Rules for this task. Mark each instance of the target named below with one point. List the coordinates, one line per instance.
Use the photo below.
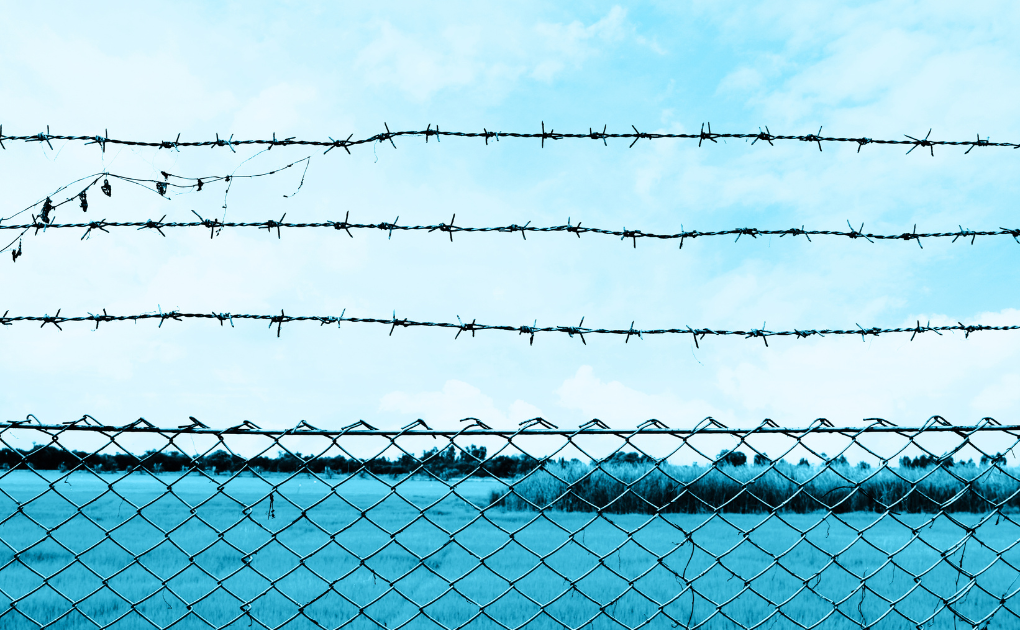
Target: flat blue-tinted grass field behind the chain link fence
(361, 565)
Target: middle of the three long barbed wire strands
(216, 226)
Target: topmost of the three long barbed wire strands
(705, 135)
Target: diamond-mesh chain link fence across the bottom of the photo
(876, 527)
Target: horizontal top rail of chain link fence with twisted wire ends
(937, 425)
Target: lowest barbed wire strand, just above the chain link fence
(581, 331)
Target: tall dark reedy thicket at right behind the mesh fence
(662, 488)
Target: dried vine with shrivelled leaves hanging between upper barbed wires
(164, 188)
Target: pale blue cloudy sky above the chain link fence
(320, 71)
